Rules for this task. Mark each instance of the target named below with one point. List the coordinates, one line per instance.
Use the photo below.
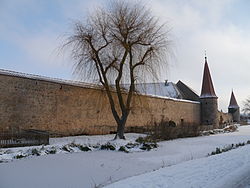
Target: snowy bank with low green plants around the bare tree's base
(69, 145)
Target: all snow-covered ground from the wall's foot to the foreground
(175, 163)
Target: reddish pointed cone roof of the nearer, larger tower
(207, 90)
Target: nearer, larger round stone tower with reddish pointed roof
(208, 100)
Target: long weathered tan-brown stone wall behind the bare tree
(67, 109)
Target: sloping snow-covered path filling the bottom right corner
(226, 170)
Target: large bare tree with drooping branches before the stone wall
(116, 45)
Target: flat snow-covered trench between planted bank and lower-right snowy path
(99, 168)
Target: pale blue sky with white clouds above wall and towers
(32, 31)
